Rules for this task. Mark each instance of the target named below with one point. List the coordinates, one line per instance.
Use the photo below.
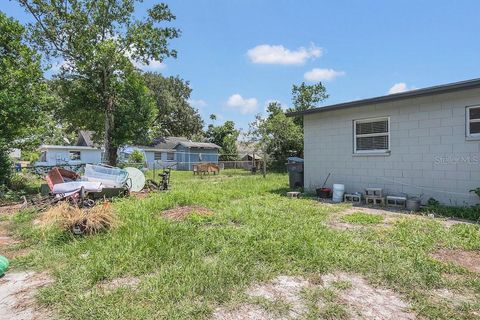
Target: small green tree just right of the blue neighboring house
(226, 137)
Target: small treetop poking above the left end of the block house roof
(305, 97)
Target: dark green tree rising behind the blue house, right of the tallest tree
(175, 116)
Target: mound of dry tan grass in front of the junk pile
(81, 221)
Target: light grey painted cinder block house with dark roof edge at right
(423, 142)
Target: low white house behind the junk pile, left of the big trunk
(68, 155)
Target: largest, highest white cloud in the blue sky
(278, 54)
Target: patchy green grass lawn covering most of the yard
(187, 268)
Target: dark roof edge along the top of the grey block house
(445, 88)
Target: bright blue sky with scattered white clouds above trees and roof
(240, 54)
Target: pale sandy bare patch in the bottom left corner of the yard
(17, 296)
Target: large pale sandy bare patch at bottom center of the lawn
(360, 299)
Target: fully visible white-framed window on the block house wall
(371, 135)
